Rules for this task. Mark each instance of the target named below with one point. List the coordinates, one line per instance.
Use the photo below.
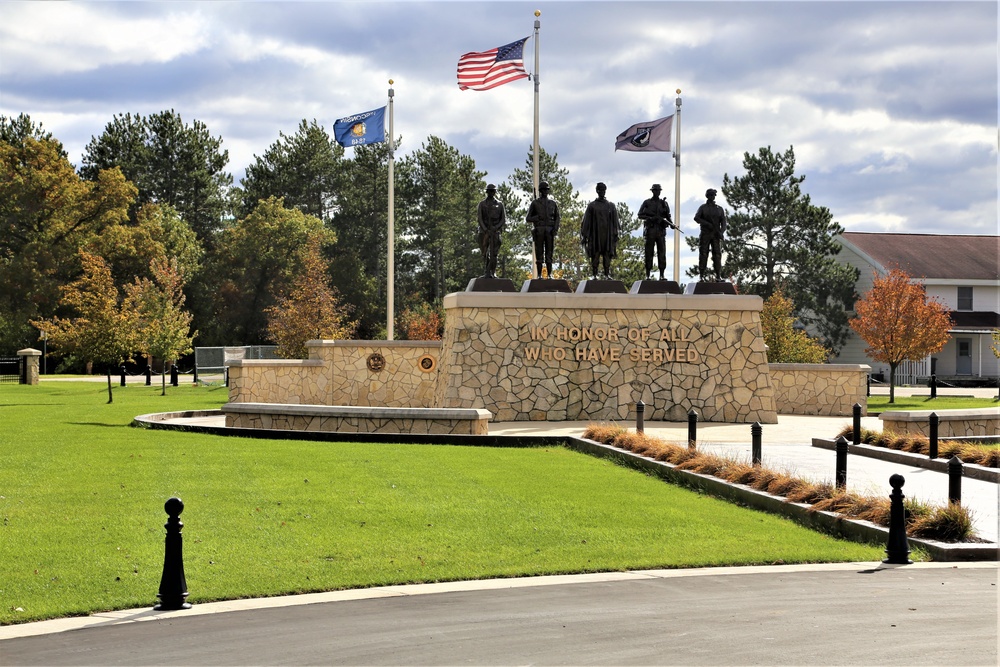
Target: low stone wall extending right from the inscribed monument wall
(820, 389)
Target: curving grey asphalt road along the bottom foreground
(844, 614)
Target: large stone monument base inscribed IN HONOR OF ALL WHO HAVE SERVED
(565, 357)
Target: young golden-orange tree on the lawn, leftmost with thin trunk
(105, 330)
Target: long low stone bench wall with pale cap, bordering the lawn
(351, 419)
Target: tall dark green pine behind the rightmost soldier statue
(775, 233)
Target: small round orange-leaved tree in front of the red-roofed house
(900, 323)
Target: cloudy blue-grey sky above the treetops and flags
(891, 106)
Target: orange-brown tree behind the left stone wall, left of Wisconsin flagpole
(311, 310)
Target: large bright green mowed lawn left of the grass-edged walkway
(82, 493)
